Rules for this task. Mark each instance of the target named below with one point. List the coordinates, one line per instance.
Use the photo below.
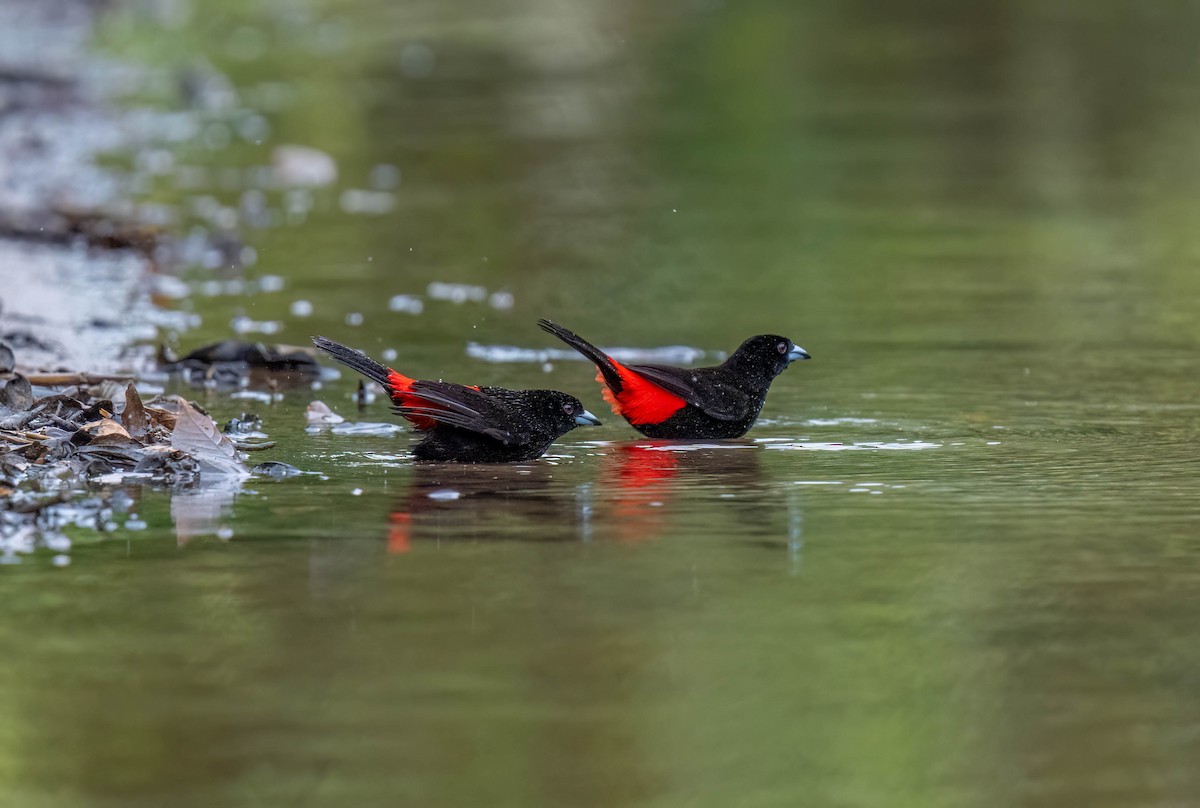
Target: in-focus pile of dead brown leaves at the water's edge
(64, 454)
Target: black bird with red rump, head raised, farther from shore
(703, 403)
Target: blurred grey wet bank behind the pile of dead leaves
(79, 260)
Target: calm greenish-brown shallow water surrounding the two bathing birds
(955, 564)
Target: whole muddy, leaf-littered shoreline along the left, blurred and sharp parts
(82, 272)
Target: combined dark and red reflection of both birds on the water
(644, 489)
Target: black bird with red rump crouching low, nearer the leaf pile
(471, 424)
